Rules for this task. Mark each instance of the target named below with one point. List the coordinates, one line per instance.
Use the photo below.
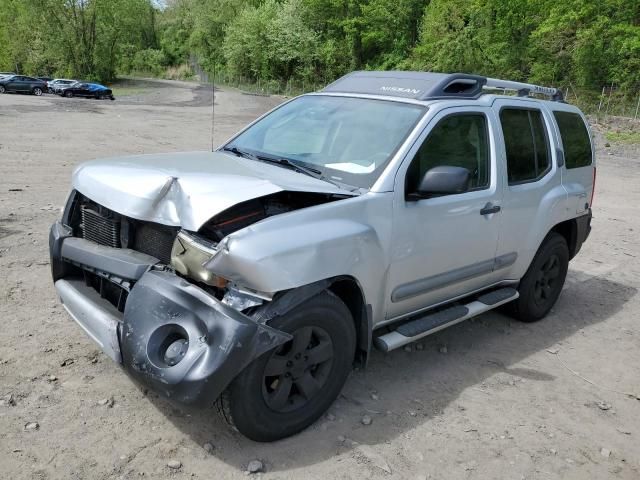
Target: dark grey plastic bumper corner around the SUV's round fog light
(221, 340)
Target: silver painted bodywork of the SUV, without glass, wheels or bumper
(377, 238)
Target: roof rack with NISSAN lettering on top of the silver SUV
(431, 86)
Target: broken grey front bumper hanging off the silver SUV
(160, 308)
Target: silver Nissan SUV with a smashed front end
(382, 209)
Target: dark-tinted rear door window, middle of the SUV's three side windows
(526, 143)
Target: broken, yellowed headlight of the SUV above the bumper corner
(190, 253)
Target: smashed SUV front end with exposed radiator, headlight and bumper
(185, 339)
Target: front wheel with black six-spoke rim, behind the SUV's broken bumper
(265, 407)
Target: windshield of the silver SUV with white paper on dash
(349, 140)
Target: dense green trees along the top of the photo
(582, 43)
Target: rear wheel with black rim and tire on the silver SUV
(541, 285)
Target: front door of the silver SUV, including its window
(445, 246)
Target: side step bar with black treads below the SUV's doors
(434, 322)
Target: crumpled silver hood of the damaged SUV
(185, 189)
